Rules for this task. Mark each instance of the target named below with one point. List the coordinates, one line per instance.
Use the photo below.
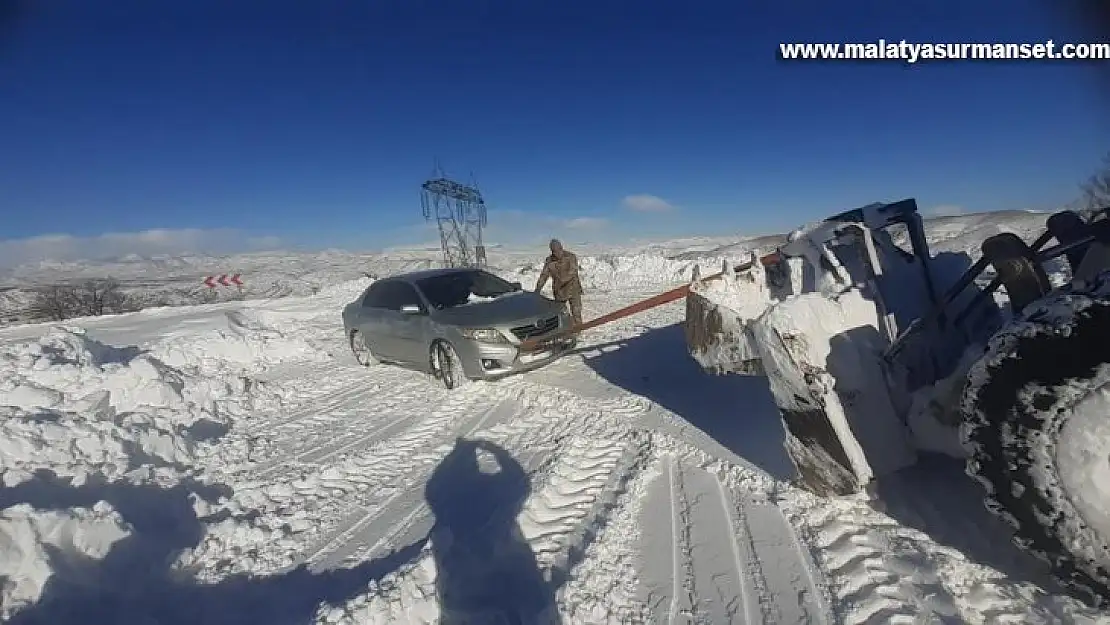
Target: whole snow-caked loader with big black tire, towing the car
(876, 350)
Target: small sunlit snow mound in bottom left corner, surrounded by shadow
(34, 543)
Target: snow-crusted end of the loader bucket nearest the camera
(825, 369)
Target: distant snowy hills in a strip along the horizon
(173, 281)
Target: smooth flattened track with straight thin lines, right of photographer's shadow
(713, 552)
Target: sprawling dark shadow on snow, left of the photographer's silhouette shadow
(135, 582)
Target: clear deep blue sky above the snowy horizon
(314, 124)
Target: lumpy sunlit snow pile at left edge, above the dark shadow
(76, 407)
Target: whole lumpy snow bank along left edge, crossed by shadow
(77, 416)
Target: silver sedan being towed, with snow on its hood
(458, 325)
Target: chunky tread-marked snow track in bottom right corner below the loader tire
(883, 571)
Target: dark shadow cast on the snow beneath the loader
(935, 497)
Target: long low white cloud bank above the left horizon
(116, 245)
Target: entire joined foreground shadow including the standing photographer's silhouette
(486, 568)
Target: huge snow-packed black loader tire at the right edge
(1037, 427)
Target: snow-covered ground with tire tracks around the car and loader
(231, 463)
